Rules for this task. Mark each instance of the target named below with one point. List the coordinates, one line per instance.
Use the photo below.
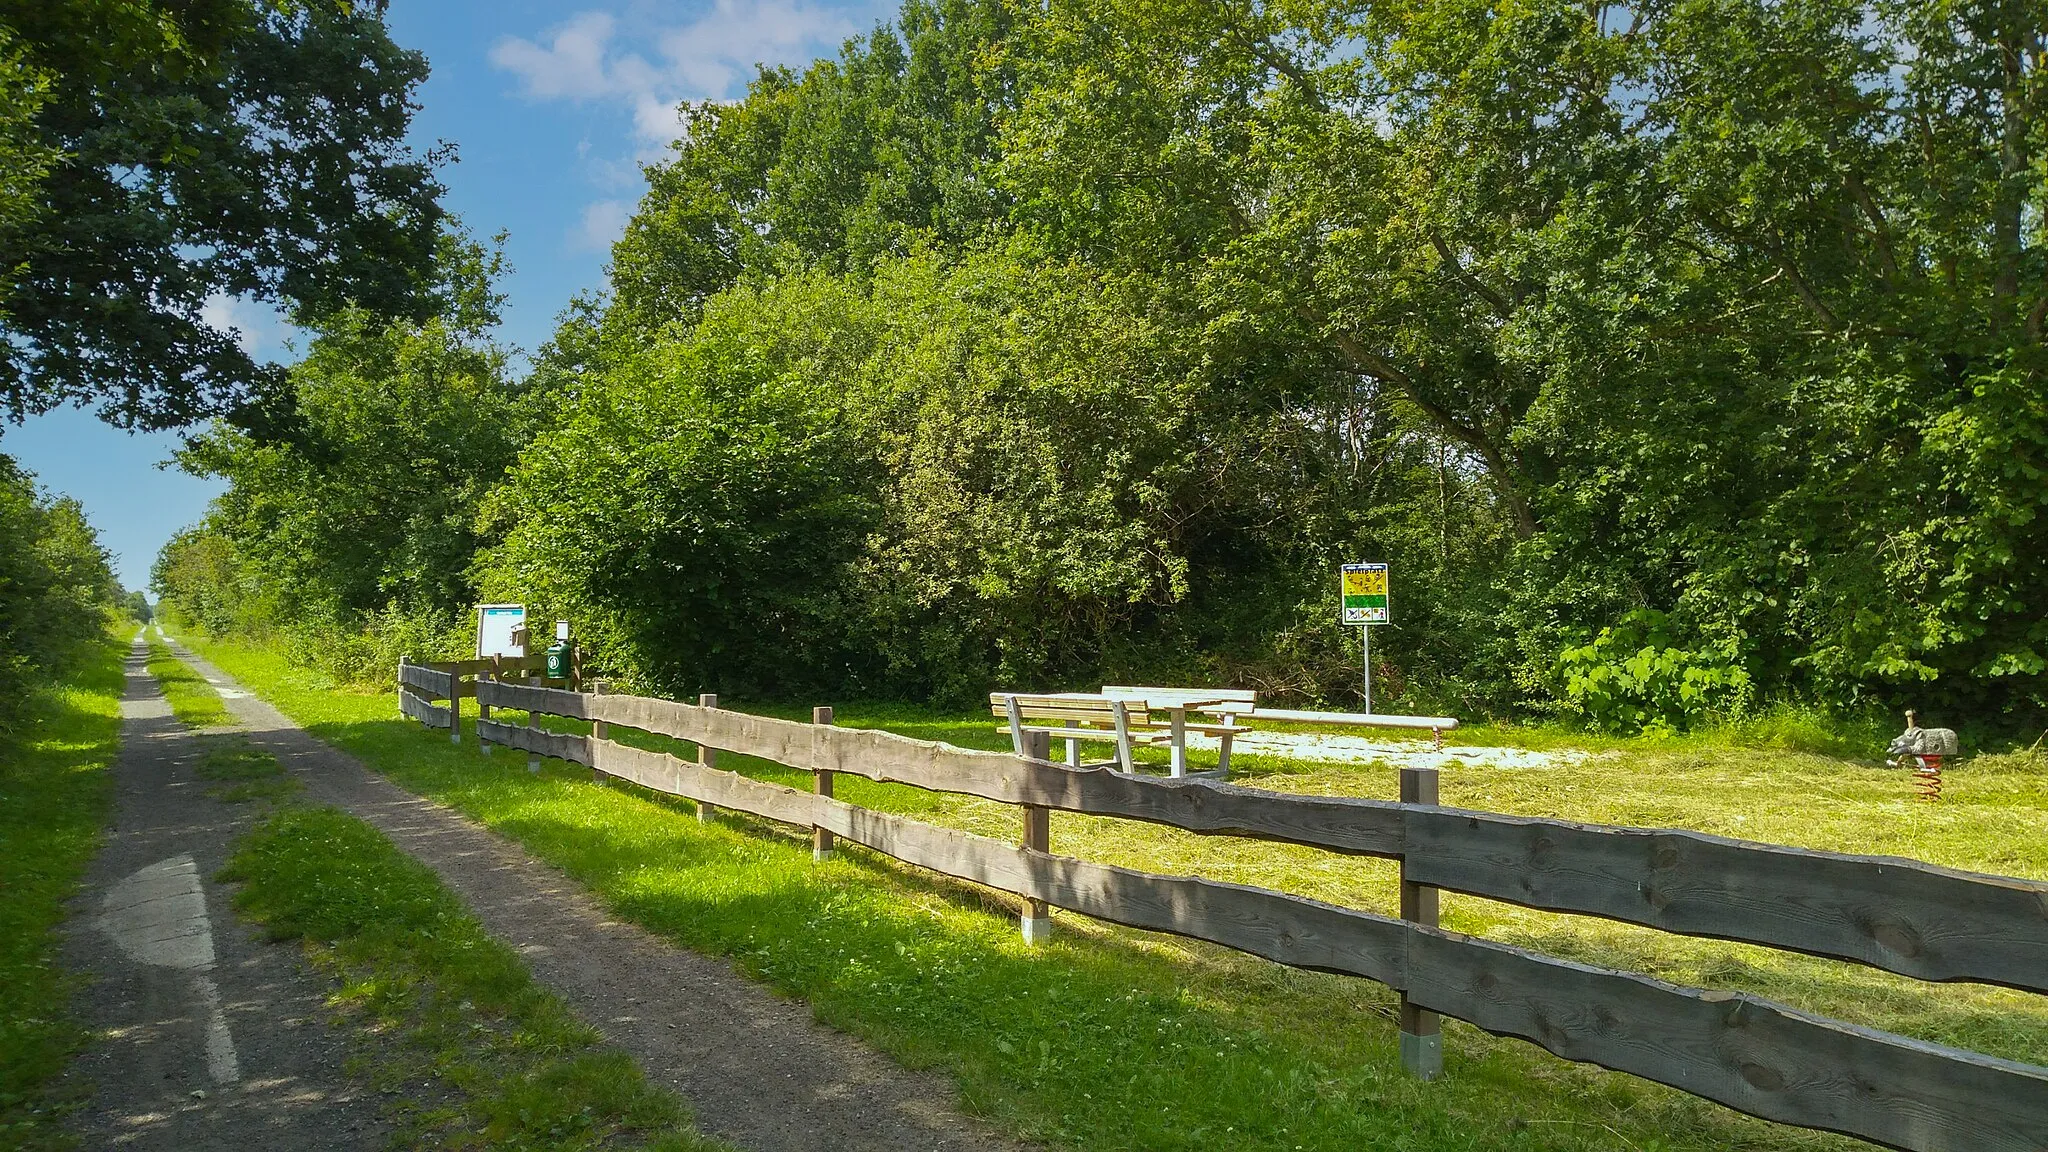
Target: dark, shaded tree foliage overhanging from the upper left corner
(163, 157)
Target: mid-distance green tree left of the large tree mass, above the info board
(398, 431)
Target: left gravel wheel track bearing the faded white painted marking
(206, 1038)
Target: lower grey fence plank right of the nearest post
(1740, 1051)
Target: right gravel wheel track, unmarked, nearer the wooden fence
(759, 1069)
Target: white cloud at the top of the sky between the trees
(652, 69)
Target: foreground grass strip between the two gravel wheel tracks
(454, 1007)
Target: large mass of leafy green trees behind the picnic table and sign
(1678, 356)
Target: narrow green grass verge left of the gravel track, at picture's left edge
(54, 794)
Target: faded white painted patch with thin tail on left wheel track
(159, 915)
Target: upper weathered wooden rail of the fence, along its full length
(1897, 915)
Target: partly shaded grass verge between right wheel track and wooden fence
(1105, 1038)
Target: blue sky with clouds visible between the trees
(554, 108)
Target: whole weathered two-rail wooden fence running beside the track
(1734, 1048)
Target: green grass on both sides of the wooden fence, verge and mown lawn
(1115, 1038)
